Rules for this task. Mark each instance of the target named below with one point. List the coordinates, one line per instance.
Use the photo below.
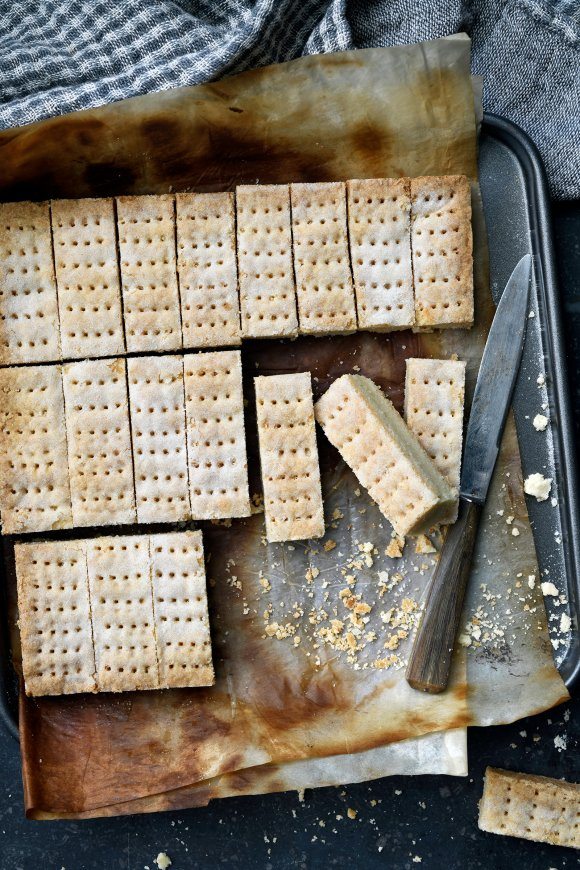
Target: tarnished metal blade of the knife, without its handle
(495, 384)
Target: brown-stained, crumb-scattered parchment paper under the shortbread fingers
(279, 703)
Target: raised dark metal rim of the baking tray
(538, 201)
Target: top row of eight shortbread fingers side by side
(100, 277)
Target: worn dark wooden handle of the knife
(430, 661)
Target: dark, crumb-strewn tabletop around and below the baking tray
(427, 821)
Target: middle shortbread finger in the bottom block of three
(119, 571)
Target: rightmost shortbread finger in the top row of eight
(442, 245)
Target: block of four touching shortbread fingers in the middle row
(100, 442)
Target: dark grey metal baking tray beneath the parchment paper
(516, 205)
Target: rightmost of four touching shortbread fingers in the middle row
(216, 439)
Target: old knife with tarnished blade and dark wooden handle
(430, 660)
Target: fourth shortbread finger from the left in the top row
(207, 269)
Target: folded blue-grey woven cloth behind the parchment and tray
(64, 55)
